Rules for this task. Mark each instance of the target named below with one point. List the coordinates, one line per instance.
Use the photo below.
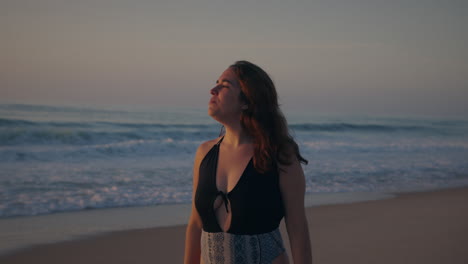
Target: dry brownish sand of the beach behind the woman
(421, 227)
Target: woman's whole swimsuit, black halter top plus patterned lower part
(256, 212)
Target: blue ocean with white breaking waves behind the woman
(68, 158)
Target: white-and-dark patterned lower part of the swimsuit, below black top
(226, 248)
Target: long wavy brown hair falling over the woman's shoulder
(263, 119)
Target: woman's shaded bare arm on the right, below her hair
(292, 184)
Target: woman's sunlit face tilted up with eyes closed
(225, 103)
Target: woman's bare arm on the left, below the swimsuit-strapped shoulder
(193, 232)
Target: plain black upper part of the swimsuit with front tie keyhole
(255, 201)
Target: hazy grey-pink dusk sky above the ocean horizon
(361, 57)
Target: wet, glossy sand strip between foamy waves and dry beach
(17, 233)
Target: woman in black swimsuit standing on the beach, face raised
(248, 179)
